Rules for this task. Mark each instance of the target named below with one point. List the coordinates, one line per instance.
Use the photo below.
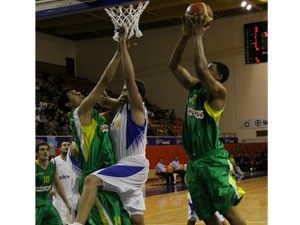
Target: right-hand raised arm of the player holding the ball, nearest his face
(215, 88)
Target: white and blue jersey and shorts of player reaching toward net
(128, 176)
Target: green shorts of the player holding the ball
(211, 185)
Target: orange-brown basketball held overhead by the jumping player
(201, 9)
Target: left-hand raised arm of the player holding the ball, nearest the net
(175, 64)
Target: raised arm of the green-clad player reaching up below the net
(86, 107)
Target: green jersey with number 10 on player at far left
(43, 183)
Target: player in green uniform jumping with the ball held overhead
(208, 175)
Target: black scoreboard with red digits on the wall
(256, 42)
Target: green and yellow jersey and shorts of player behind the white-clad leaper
(95, 152)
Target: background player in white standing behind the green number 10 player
(68, 180)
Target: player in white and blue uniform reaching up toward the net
(129, 137)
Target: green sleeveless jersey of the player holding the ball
(200, 132)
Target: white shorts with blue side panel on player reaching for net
(127, 178)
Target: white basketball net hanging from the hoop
(127, 17)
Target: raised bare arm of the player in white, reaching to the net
(134, 97)
